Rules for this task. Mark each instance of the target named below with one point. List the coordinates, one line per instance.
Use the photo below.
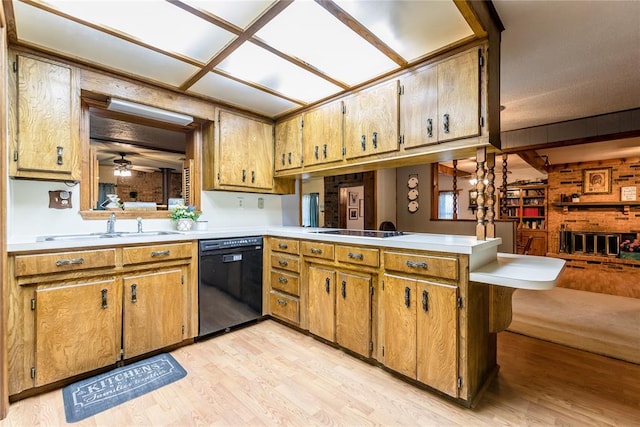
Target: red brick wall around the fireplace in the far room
(567, 179)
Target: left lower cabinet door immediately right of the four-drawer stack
(322, 288)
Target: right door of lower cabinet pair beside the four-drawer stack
(353, 312)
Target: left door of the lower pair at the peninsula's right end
(399, 327)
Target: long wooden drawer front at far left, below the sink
(26, 265)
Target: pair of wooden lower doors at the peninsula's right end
(420, 331)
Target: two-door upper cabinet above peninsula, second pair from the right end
(371, 121)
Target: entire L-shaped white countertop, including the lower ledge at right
(485, 264)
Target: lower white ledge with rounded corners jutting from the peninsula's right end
(520, 271)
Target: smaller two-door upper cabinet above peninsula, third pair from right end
(322, 134)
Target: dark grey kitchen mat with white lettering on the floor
(96, 394)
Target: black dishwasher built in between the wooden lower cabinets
(229, 283)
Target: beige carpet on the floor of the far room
(598, 323)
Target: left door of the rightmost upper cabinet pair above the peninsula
(419, 108)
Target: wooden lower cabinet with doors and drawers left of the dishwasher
(66, 319)
